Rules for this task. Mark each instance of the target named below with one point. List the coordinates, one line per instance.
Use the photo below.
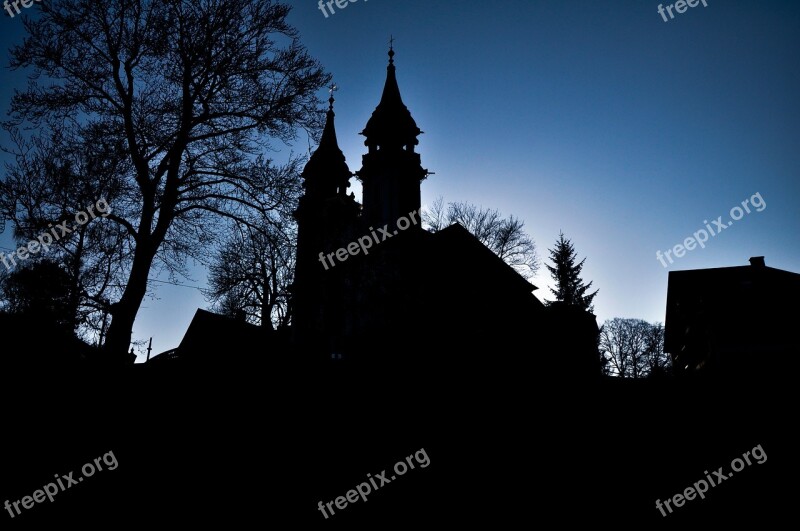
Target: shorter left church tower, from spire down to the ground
(326, 217)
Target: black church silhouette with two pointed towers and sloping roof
(412, 291)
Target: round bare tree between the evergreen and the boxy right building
(632, 348)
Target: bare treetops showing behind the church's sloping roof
(505, 237)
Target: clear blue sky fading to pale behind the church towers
(595, 118)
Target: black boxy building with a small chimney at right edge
(731, 320)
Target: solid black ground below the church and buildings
(264, 444)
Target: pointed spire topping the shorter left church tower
(326, 172)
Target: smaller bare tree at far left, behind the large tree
(55, 175)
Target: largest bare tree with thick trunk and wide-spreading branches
(192, 90)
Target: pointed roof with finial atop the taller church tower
(391, 122)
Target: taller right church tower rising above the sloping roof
(391, 171)
